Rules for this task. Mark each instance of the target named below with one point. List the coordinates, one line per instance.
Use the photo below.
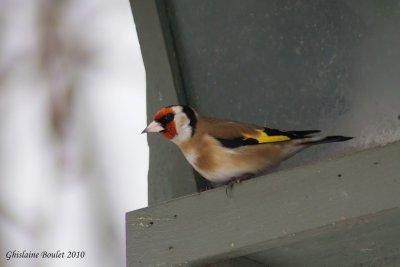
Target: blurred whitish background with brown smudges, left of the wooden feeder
(72, 102)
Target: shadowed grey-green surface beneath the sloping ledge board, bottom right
(369, 241)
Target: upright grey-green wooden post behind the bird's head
(170, 178)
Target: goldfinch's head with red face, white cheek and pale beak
(176, 123)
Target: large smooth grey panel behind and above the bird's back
(329, 65)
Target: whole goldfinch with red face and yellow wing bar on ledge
(225, 151)
